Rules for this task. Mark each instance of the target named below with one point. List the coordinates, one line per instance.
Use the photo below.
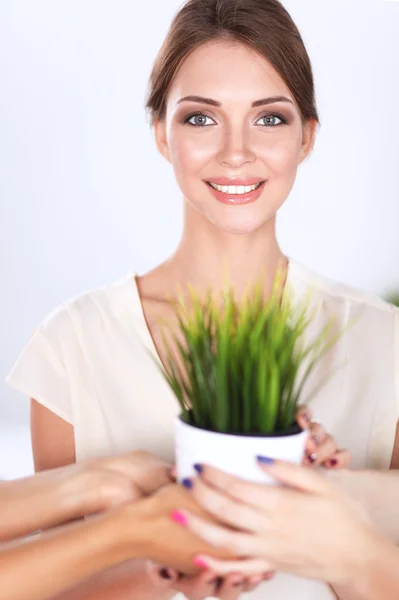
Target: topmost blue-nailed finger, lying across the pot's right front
(298, 477)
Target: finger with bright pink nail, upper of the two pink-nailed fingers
(241, 544)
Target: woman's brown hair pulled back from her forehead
(262, 25)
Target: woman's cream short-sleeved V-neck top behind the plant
(90, 363)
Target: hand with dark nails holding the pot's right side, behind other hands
(321, 448)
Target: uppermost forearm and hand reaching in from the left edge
(75, 491)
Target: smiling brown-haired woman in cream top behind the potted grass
(233, 109)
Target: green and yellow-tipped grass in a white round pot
(238, 369)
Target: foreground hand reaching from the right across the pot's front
(283, 528)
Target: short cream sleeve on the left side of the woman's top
(40, 371)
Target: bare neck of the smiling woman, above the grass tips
(206, 256)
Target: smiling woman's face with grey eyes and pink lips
(234, 136)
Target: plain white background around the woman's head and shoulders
(85, 198)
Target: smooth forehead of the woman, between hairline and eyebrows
(227, 71)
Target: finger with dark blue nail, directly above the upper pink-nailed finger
(228, 510)
